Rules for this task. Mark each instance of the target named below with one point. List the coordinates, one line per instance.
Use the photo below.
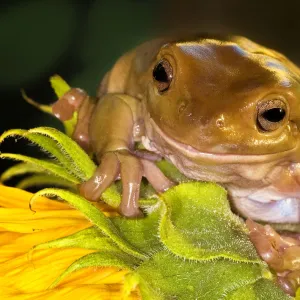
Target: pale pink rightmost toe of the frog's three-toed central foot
(156, 177)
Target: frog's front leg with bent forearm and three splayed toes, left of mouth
(115, 125)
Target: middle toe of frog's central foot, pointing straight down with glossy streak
(131, 174)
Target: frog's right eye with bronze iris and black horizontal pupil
(271, 114)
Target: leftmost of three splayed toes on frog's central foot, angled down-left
(105, 174)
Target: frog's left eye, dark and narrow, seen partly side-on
(163, 75)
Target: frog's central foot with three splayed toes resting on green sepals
(130, 169)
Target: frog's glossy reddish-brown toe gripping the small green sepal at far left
(66, 105)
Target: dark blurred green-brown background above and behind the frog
(80, 40)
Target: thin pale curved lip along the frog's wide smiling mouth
(220, 158)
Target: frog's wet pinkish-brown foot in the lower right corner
(280, 252)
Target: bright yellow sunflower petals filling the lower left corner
(27, 274)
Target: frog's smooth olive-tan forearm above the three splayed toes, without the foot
(112, 124)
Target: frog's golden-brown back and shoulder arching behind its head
(128, 73)
